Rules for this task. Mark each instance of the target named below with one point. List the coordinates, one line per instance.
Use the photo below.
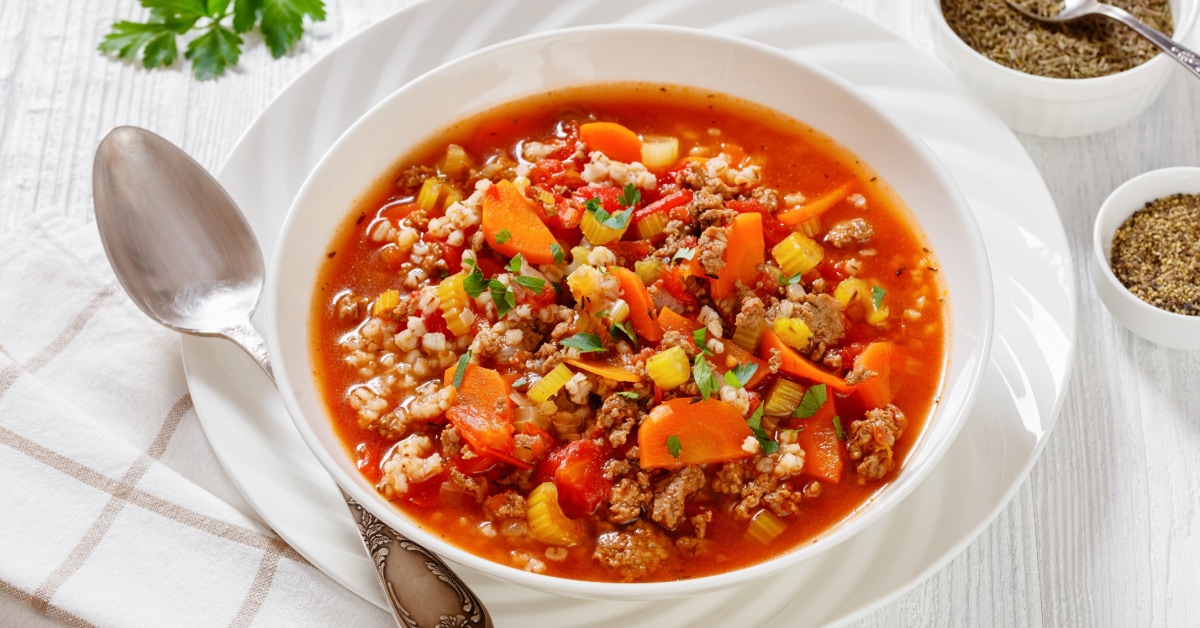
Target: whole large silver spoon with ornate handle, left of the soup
(187, 256)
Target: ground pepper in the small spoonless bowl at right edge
(1156, 254)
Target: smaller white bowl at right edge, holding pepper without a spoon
(1153, 324)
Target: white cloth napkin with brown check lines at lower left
(113, 509)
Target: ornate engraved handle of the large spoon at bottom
(418, 585)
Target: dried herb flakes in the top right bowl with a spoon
(1089, 47)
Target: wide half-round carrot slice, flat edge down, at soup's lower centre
(705, 432)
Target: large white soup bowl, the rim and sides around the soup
(608, 55)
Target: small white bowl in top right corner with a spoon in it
(1060, 107)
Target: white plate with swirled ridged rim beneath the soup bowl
(1022, 394)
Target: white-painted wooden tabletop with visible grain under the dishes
(1105, 533)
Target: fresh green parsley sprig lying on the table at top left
(215, 28)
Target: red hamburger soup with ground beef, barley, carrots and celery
(633, 333)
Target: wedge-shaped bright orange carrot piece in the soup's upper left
(506, 210)
